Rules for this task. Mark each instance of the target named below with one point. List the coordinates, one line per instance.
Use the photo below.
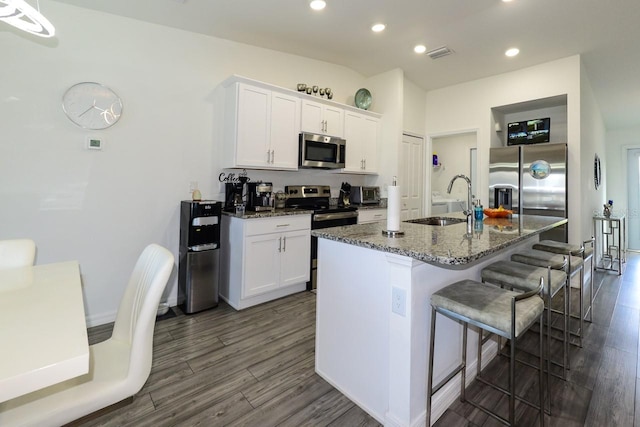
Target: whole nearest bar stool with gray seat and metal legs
(498, 311)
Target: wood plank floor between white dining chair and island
(226, 368)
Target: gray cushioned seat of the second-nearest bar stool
(523, 276)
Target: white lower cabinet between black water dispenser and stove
(263, 258)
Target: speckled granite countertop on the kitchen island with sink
(447, 246)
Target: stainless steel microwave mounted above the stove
(321, 151)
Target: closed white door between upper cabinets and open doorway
(411, 177)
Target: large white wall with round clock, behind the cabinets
(103, 207)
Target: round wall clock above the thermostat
(92, 105)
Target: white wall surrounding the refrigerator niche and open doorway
(468, 106)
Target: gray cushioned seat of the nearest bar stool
(488, 305)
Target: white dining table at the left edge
(43, 333)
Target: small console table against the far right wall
(609, 232)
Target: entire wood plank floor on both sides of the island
(256, 368)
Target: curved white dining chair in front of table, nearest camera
(119, 366)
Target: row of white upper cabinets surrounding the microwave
(262, 124)
